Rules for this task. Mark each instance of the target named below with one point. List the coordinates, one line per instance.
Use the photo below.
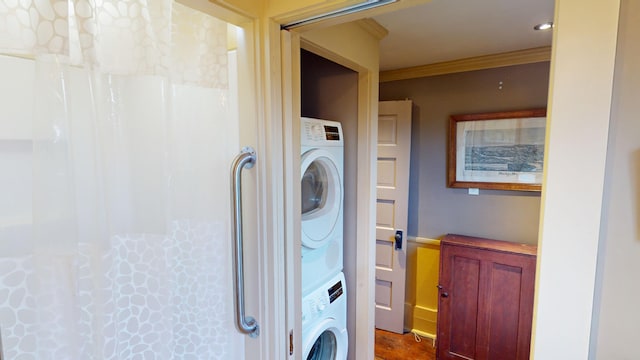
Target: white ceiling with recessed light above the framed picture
(444, 30)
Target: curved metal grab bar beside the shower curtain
(245, 159)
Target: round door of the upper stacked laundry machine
(321, 189)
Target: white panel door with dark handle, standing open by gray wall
(394, 149)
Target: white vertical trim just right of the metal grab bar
(275, 291)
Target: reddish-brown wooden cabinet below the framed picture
(486, 299)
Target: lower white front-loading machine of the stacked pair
(324, 321)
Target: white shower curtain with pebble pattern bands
(132, 131)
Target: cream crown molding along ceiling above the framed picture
(519, 57)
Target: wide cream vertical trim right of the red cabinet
(575, 157)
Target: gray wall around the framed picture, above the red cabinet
(434, 209)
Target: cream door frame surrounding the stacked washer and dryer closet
(342, 53)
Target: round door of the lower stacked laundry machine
(326, 342)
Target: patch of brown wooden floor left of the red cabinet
(391, 346)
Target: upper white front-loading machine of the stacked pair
(322, 151)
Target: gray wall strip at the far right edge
(616, 325)
